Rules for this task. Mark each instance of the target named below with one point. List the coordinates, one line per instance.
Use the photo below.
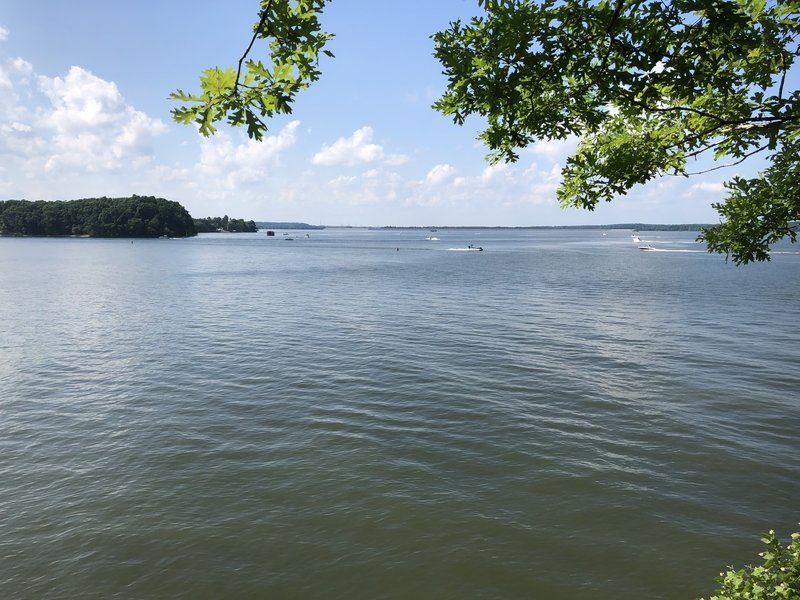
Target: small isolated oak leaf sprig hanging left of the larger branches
(257, 90)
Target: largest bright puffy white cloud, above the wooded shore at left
(93, 128)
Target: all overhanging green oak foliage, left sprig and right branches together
(647, 85)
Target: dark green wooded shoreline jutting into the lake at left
(135, 217)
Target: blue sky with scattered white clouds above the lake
(84, 112)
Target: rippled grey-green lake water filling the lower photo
(369, 414)
